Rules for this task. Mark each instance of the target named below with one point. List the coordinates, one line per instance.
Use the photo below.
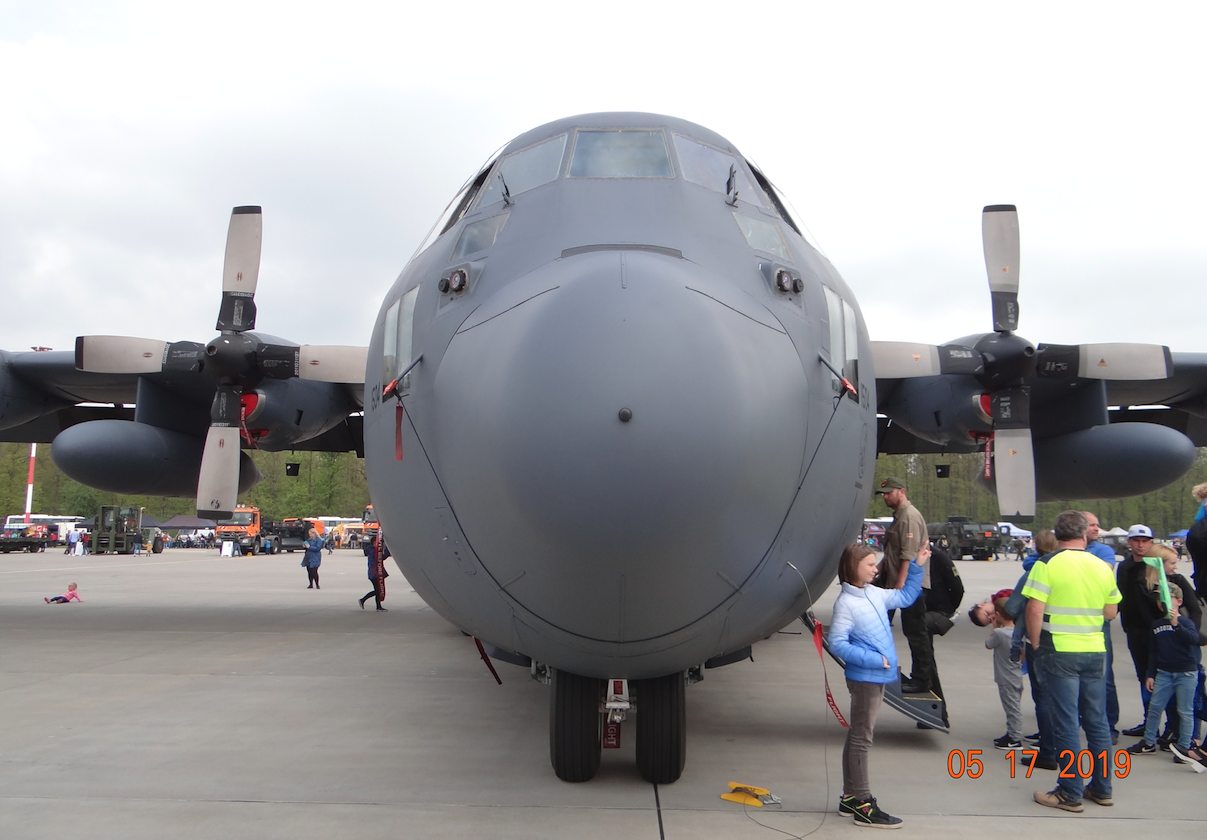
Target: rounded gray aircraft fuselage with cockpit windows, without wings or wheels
(621, 433)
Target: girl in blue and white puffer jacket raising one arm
(862, 639)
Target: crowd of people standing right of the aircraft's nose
(1053, 627)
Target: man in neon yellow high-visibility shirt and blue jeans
(1071, 594)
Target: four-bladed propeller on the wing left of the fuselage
(236, 360)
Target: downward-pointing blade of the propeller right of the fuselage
(1014, 463)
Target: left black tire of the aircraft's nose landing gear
(575, 726)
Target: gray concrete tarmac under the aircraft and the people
(193, 696)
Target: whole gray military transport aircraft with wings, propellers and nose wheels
(620, 413)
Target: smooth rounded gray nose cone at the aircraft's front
(621, 436)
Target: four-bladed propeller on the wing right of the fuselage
(1004, 363)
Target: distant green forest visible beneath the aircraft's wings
(334, 485)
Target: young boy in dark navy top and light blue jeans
(1173, 669)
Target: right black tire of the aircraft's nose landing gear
(662, 728)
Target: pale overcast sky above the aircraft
(130, 131)
